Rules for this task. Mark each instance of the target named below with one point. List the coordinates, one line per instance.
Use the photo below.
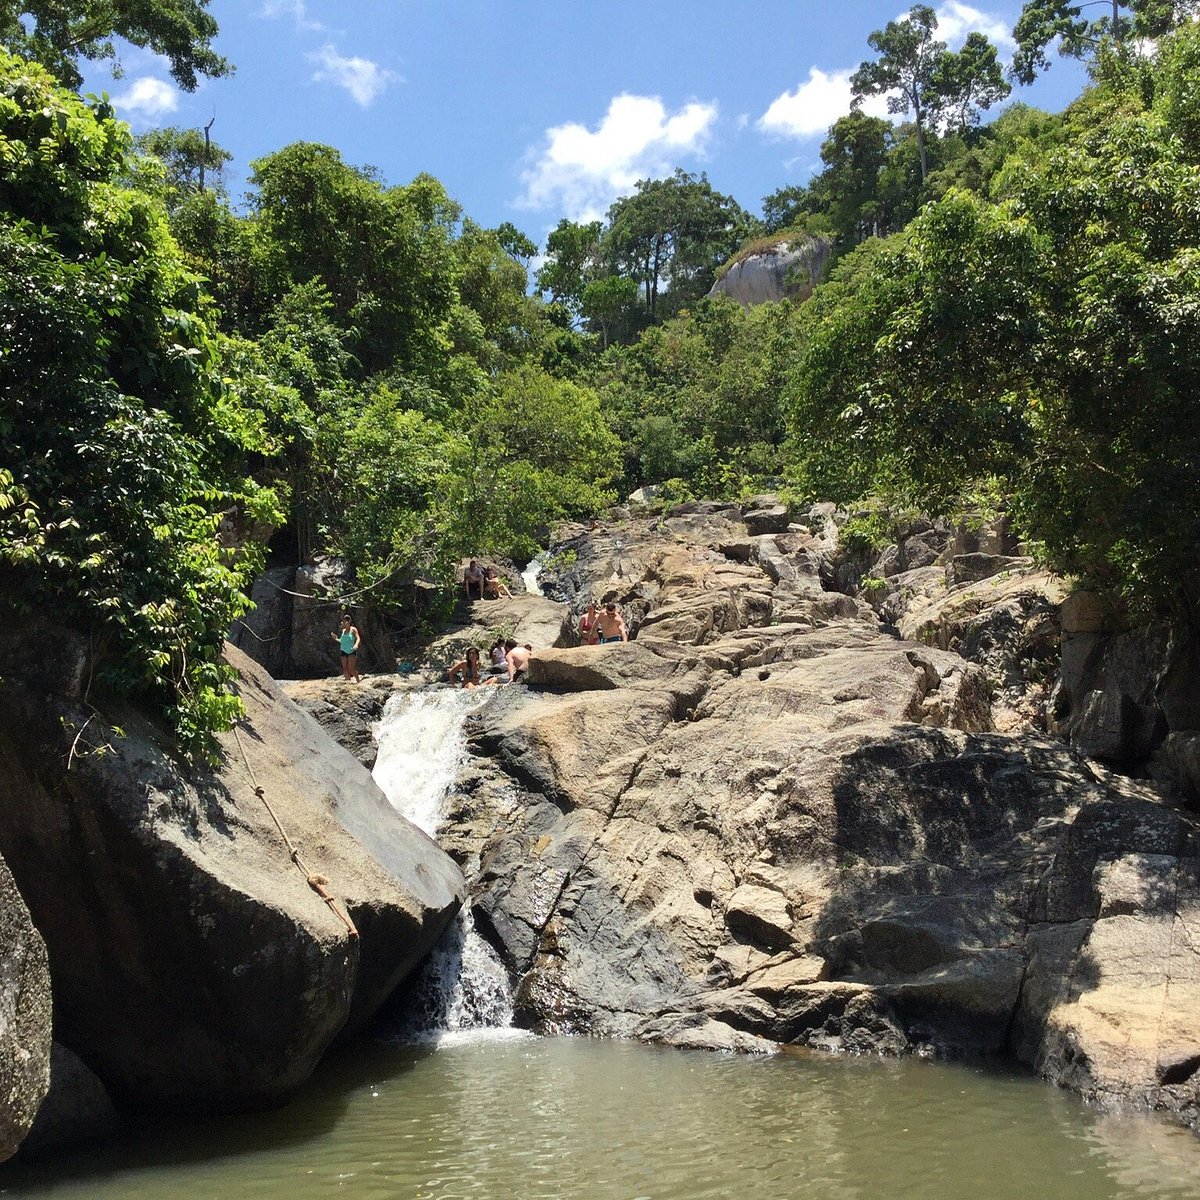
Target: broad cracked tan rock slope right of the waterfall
(770, 818)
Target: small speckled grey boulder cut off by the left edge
(25, 1018)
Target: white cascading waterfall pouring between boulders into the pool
(423, 742)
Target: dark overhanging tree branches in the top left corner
(61, 33)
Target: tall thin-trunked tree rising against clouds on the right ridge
(909, 59)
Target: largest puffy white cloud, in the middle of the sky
(581, 172)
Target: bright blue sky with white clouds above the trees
(535, 110)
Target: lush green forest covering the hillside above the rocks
(355, 367)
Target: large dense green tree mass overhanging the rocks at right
(1049, 340)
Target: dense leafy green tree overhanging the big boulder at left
(124, 447)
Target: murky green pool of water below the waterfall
(526, 1118)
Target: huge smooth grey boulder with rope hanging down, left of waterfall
(194, 965)
